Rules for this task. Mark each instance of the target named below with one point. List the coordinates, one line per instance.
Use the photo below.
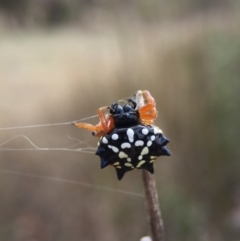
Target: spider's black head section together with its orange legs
(139, 110)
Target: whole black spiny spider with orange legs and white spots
(128, 138)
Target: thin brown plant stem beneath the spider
(153, 209)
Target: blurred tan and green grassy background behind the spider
(61, 60)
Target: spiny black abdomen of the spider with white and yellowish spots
(132, 147)
